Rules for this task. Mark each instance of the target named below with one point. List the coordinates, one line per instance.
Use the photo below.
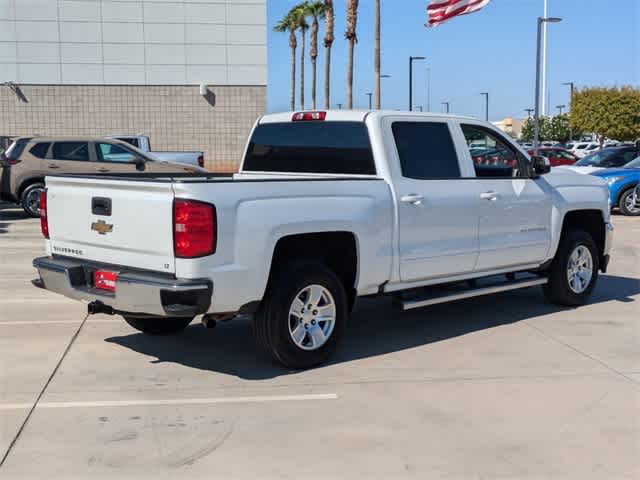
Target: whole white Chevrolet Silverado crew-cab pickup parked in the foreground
(328, 207)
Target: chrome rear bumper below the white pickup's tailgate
(136, 292)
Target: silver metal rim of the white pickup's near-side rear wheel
(312, 317)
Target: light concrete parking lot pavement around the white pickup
(503, 387)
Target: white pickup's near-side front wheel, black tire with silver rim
(573, 274)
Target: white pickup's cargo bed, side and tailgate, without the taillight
(252, 215)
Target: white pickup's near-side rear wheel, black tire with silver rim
(303, 315)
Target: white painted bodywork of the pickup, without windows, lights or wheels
(454, 232)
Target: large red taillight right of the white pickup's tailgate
(194, 228)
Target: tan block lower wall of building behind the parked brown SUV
(175, 117)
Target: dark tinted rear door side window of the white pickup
(426, 150)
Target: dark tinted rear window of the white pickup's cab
(310, 147)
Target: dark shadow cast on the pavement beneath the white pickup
(377, 328)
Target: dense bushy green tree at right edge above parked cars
(607, 112)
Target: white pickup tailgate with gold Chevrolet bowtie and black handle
(137, 231)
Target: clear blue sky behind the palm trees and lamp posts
(493, 50)
